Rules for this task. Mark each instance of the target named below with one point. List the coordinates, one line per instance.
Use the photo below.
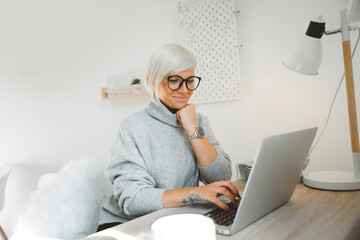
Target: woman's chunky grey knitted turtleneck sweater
(152, 154)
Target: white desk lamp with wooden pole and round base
(307, 60)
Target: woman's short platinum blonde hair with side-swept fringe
(167, 60)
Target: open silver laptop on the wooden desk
(272, 181)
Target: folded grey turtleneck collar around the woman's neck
(159, 111)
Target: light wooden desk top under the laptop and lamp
(310, 214)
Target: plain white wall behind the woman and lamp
(55, 56)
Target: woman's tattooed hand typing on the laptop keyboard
(210, 192)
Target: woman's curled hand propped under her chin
(187, 118)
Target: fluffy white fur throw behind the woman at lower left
(66, 204)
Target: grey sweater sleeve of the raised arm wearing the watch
(220, 169)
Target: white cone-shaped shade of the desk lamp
(306, 58)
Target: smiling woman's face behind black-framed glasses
(175, 99)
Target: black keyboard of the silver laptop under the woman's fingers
(223, 217)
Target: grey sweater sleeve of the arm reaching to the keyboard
(133, 186)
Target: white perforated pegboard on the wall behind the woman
(208, 29)
